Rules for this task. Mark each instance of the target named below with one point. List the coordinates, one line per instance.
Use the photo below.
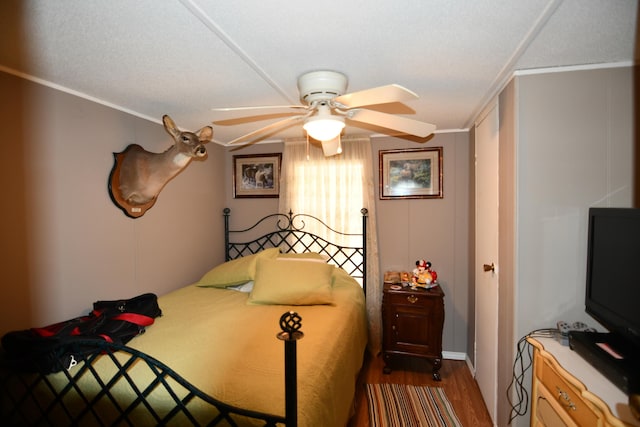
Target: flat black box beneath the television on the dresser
(616, 359)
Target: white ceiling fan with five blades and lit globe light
(325, 106)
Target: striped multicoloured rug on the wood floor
(399, 405)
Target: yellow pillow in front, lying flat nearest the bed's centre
(291, 282)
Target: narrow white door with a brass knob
(486, 251)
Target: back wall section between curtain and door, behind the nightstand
(433, 229)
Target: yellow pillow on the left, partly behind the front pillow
(236, 271)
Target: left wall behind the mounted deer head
(64, 243)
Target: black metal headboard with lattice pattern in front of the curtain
(287, 232)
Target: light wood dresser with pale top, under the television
(567, 391)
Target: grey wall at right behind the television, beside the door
(570, 137)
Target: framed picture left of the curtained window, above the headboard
(256, 175)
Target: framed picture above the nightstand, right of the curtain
(411, 174)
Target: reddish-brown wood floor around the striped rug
(458, 383)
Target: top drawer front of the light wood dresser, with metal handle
(566, 395)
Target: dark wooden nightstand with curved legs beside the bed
(412, 322)
